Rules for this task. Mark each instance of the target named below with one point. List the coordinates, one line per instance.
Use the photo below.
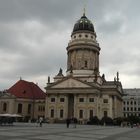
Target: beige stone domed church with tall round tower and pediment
(83, 92)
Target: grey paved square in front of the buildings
(29, 131)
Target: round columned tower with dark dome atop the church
(83, 50)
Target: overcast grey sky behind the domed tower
(34, 35)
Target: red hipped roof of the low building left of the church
(28, 90)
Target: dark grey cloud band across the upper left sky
(48, 10)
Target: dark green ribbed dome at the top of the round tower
(83, 24)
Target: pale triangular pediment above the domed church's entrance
(71, 83)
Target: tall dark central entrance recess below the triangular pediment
(70, 106)
